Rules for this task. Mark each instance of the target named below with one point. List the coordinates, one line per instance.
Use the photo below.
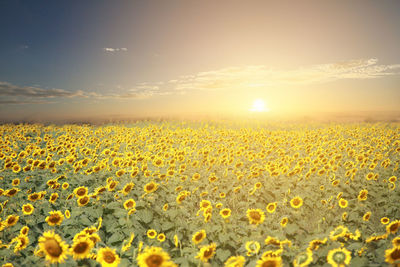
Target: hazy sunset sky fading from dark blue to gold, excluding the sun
(82, 60)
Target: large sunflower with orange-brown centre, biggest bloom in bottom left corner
(53, 247)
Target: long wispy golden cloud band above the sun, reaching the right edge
(247, 77)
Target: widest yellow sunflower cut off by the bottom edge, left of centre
(154, 257)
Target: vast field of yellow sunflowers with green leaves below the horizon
(200, 194)
